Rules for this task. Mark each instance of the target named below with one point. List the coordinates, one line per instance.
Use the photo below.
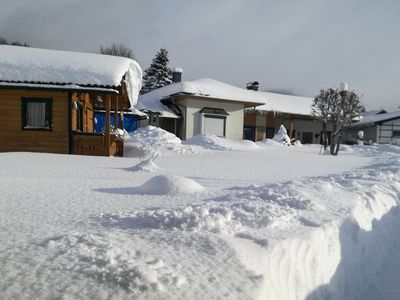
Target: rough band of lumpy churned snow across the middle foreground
(269, 206)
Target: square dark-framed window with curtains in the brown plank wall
(37, 114)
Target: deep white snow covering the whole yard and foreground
(207, 219)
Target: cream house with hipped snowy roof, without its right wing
(203, 106)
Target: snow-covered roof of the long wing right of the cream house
(287, 104)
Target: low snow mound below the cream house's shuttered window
(214, 142)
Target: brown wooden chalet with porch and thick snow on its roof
(48, 98)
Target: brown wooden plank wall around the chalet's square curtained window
(14, 138)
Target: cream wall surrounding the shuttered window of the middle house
(234, 122)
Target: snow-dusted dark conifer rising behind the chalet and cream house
(158, 74)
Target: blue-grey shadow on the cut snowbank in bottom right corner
(365, 257)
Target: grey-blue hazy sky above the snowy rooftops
(296, 46)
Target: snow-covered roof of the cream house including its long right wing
(219, 90)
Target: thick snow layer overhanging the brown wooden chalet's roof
(54, 67)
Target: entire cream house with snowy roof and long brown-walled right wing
(209, 106)
